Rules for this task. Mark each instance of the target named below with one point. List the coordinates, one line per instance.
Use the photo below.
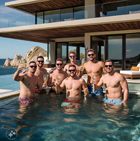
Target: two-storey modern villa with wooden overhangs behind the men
(111, 27)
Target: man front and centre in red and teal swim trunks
(74, 85)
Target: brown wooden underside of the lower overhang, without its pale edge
(46, 35)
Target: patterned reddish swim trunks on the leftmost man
(26, 101)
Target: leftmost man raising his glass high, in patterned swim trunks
(28, 82)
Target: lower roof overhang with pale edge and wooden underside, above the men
(77, 28)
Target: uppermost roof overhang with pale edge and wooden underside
(33, 6)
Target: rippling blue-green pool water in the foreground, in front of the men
(92, 120)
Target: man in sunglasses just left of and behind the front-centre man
(57, 74)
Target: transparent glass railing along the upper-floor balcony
(75, 13)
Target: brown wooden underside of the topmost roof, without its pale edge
(48, 5)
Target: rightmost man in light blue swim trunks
(114, 83)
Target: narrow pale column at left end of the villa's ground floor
(52, 52)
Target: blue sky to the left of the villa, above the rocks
(9, 18)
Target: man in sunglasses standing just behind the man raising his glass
(40, 72)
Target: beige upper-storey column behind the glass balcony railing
(90, 9)
